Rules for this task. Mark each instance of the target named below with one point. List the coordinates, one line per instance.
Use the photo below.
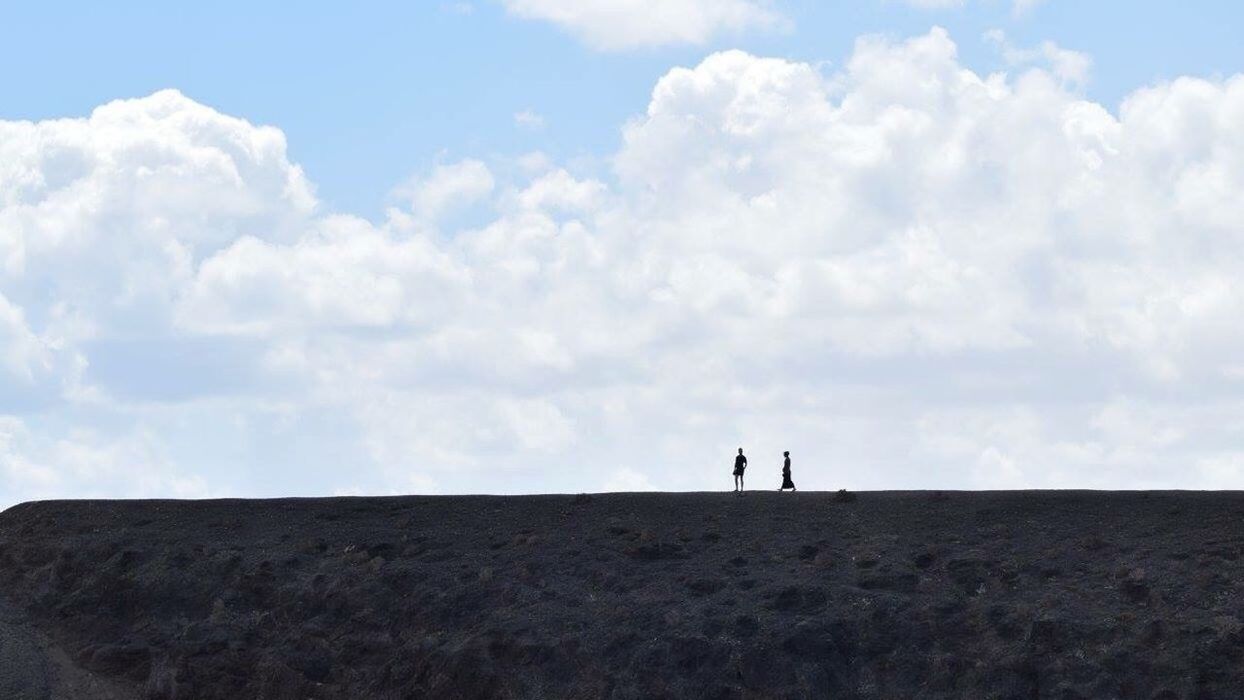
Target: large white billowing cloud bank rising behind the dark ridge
(909, 274)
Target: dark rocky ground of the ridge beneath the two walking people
(1005, 595)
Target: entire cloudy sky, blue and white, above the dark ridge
(580, 246)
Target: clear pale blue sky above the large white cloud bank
(375, 93)
